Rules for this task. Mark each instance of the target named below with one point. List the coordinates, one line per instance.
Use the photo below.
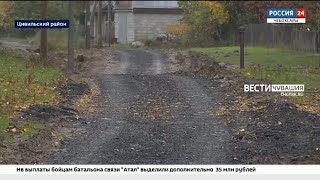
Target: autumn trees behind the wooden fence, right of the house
(212, 22)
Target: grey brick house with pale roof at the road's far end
(141, 20)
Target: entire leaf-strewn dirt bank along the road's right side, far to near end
(267, 128)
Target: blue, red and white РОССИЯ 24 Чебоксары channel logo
(286, 15)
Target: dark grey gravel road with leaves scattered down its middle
(148, 115)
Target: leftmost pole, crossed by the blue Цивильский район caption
(44, 37)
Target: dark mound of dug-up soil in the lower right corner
(280, 134)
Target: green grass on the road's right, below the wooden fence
(296, 67)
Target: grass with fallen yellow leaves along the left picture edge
(21, 84)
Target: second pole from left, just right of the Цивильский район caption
(71, 36)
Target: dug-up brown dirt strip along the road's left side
(58, 120)
